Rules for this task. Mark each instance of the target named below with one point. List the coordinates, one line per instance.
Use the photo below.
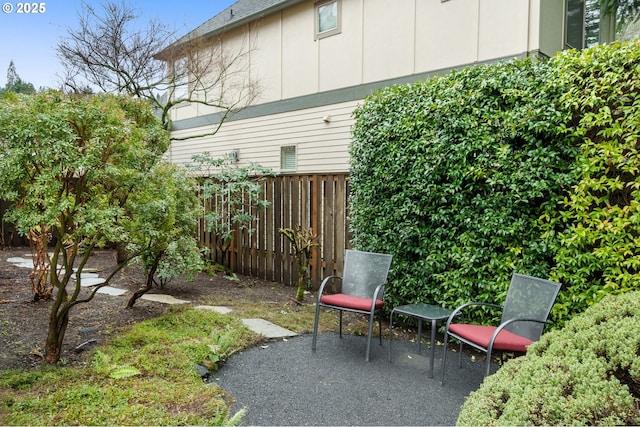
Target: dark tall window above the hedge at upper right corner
(584, 25)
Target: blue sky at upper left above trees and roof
(30, 39)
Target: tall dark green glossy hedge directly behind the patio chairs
(450, 175)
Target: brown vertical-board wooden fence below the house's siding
(318, 202)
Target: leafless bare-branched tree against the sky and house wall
(107, 51)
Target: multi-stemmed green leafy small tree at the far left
(71, 163)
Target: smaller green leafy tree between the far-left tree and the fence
(162, 227)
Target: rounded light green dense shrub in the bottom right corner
(587, 373)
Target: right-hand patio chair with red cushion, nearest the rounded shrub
(524, 316)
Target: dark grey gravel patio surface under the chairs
(284, 383)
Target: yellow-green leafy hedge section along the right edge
(597, 226)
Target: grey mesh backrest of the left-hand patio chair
(364, 272)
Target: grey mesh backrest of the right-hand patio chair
(530, 298)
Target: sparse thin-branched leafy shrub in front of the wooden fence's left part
(232, 196)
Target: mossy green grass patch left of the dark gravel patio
(145, 376)
